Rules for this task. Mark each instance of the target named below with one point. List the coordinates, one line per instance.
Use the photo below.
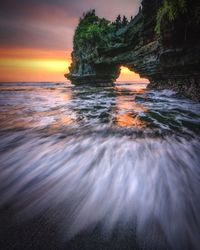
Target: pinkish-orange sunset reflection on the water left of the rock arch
(34, 107)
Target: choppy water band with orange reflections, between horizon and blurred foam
(58, 106)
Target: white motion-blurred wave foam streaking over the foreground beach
(149, 184)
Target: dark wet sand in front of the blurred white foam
(43, 233)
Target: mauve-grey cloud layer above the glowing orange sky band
(50, 23)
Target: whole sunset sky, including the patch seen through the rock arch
(36, 36)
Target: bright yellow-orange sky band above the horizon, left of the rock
(18, 64)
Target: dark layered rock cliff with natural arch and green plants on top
(161, 43)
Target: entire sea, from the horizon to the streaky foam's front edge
(119, 158)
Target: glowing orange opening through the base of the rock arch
(127, 75)
